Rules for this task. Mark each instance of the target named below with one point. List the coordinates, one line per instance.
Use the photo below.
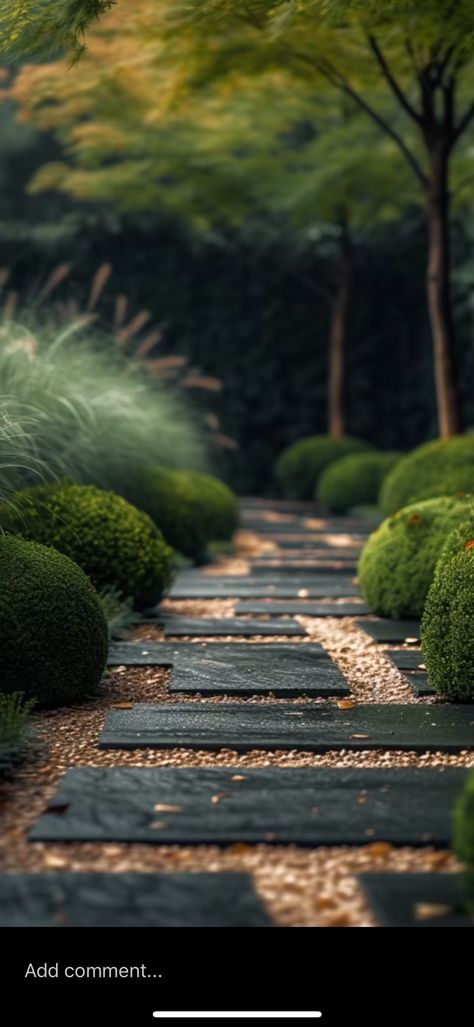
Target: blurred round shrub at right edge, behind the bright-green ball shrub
(438, 469)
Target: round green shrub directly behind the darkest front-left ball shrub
(115, 544)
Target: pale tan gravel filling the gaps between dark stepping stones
(301, 888)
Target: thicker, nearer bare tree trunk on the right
(440, 298)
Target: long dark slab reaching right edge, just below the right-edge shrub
(309, 729)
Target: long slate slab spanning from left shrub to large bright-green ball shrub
(324, 586)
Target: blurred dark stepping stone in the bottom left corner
(130, 900)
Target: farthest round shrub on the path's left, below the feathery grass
(191, 510)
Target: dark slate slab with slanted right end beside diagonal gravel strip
(242, 670)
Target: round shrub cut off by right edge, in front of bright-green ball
(448, 629)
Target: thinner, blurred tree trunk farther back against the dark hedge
(336, 419)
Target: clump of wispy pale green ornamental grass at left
(90, 414)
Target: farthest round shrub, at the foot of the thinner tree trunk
(299, 467)
